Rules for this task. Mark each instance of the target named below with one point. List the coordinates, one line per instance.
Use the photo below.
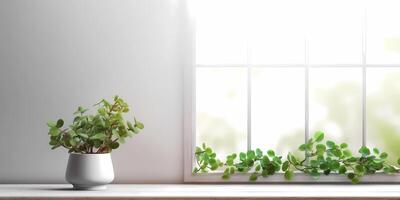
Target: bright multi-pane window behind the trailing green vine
(268, 74)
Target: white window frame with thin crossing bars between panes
(189, 120)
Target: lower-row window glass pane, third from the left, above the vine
(336, 104)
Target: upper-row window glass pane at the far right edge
(383, 32)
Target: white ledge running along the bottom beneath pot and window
(203, 191)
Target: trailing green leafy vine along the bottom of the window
(320, 158)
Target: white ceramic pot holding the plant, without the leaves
(89, 171)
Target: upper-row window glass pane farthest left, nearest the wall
(220, 37)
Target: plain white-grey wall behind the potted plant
(58, 54)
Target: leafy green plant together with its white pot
(90, 139)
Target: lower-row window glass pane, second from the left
(278, 108)
